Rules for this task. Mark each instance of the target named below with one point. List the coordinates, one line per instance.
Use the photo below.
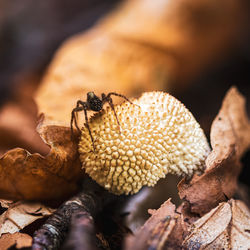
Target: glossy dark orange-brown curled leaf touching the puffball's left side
(25, 176)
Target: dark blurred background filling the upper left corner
(31, 31)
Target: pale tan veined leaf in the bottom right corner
(225, 227)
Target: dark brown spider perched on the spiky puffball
(93, 103)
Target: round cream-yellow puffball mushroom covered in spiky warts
(157, 137)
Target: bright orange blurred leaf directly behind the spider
(97, 62)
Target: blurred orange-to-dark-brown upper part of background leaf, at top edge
(194, 33)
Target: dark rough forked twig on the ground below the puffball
(79, 212)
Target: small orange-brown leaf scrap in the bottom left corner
(18, 240)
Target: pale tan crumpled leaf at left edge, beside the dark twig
(20, 215)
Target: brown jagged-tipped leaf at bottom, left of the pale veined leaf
(165, 228)
